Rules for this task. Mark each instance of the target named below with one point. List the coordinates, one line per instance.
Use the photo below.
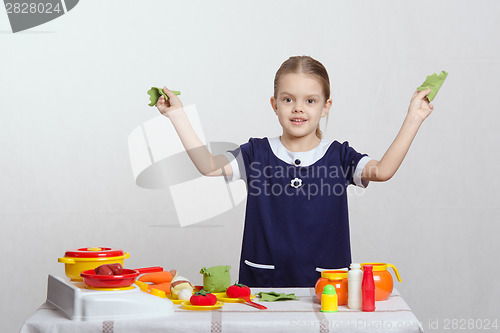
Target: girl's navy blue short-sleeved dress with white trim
(296, 220)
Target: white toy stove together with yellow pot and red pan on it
(84, 295)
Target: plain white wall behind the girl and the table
(73, 89)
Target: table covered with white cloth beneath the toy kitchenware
(302, 315)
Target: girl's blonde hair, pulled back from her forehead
(306, 65)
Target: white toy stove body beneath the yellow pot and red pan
(77, 302)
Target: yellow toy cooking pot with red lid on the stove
(82, 259)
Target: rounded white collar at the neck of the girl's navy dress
(305, 158)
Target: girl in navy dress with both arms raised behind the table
(296, 221)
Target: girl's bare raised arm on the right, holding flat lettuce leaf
(384, 169)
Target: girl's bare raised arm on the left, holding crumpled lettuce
(205, 162)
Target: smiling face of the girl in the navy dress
(300, 104)
